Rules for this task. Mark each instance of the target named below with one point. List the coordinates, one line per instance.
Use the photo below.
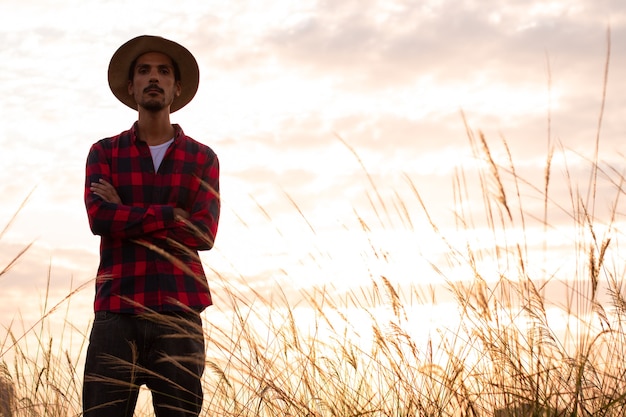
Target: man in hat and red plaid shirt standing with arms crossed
(152, 195)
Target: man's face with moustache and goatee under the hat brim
(154, 84)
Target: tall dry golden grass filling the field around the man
(371, 352)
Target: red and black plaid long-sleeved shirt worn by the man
(148, 260)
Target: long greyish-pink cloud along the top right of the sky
(369, 45)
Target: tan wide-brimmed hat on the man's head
(119, 68)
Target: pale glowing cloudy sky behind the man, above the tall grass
(325, 115)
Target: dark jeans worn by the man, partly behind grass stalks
(163, 351)
